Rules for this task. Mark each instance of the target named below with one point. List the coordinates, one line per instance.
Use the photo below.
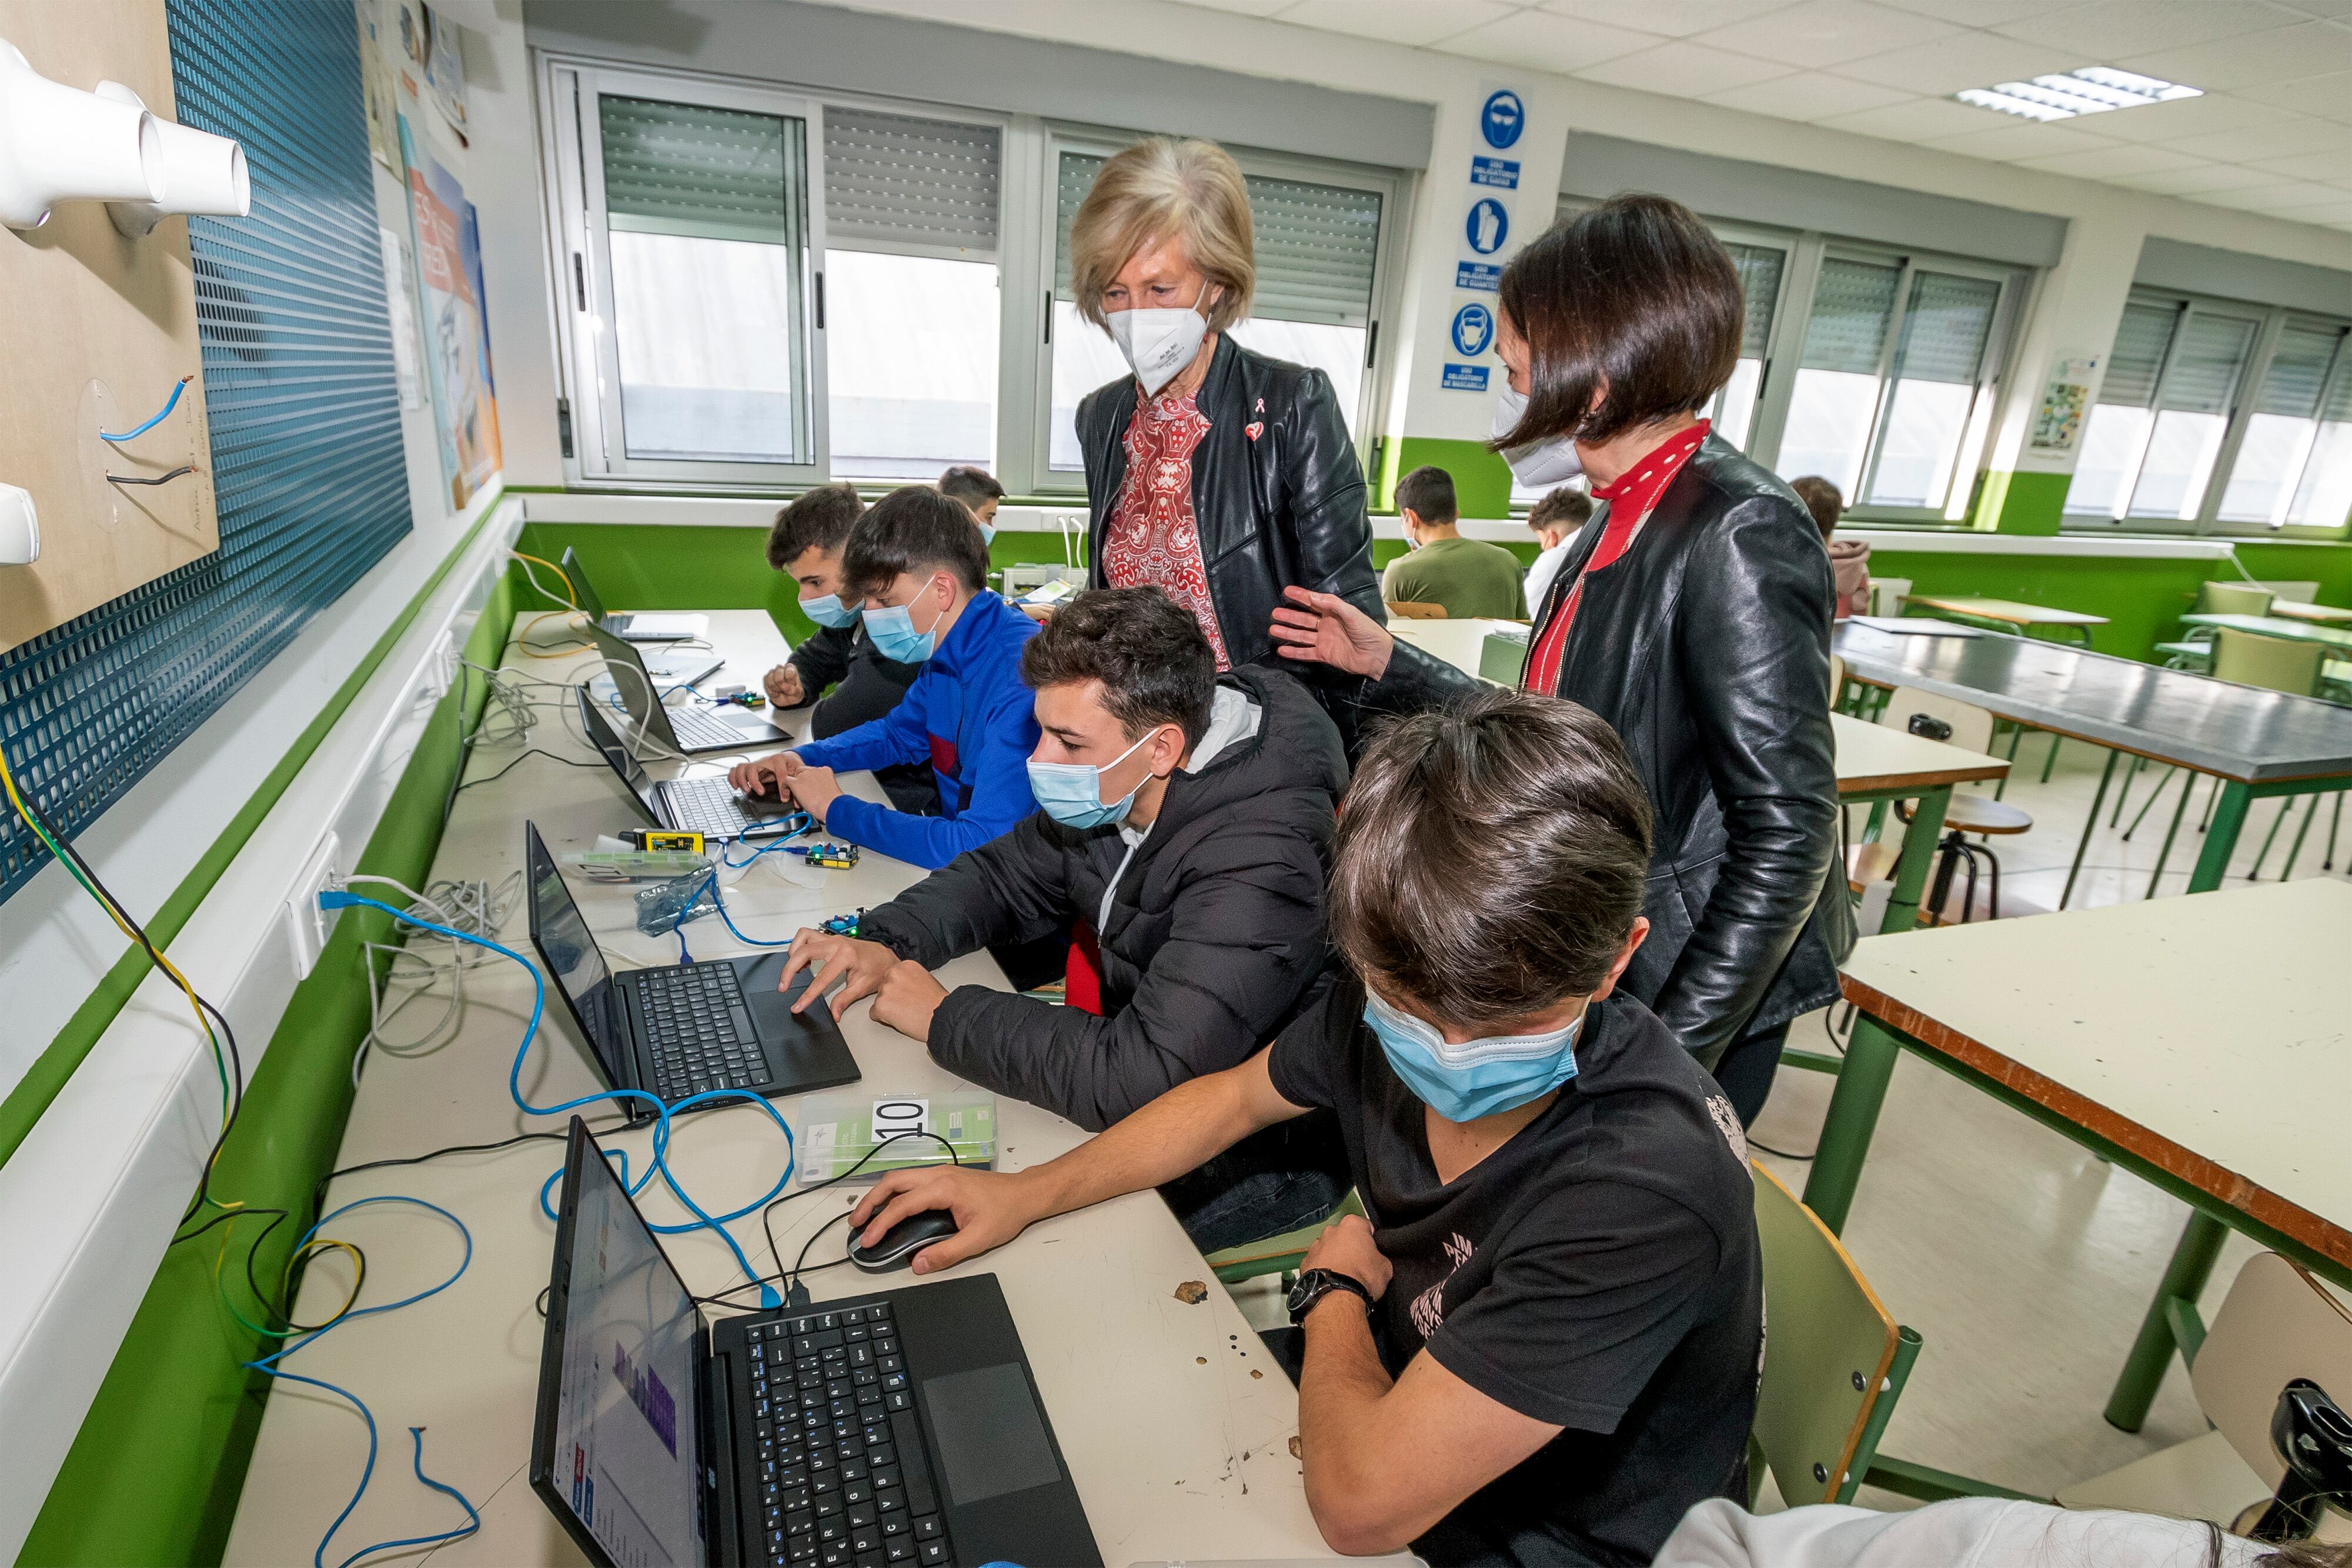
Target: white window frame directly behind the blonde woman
(1394, 187)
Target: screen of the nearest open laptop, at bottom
(627, 1407)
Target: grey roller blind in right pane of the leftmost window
(909, 182)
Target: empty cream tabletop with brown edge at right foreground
(2210, 1036)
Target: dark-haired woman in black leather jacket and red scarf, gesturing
(1692, 615)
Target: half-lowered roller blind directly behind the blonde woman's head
(1316, 243)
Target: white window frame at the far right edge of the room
(2271, 328)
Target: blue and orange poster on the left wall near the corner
(455, 330)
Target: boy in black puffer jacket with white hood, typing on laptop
(1184, 833)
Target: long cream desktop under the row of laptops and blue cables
(1172, 1419)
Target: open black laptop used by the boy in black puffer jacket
(681, 1028)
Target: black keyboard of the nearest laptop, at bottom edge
(843, 1473)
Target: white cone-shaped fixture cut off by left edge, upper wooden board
(62, 145)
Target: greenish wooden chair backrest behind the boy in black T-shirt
(1833, 1358)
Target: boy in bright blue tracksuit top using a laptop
(918, 563)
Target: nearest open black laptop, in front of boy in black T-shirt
(890, 1428)
